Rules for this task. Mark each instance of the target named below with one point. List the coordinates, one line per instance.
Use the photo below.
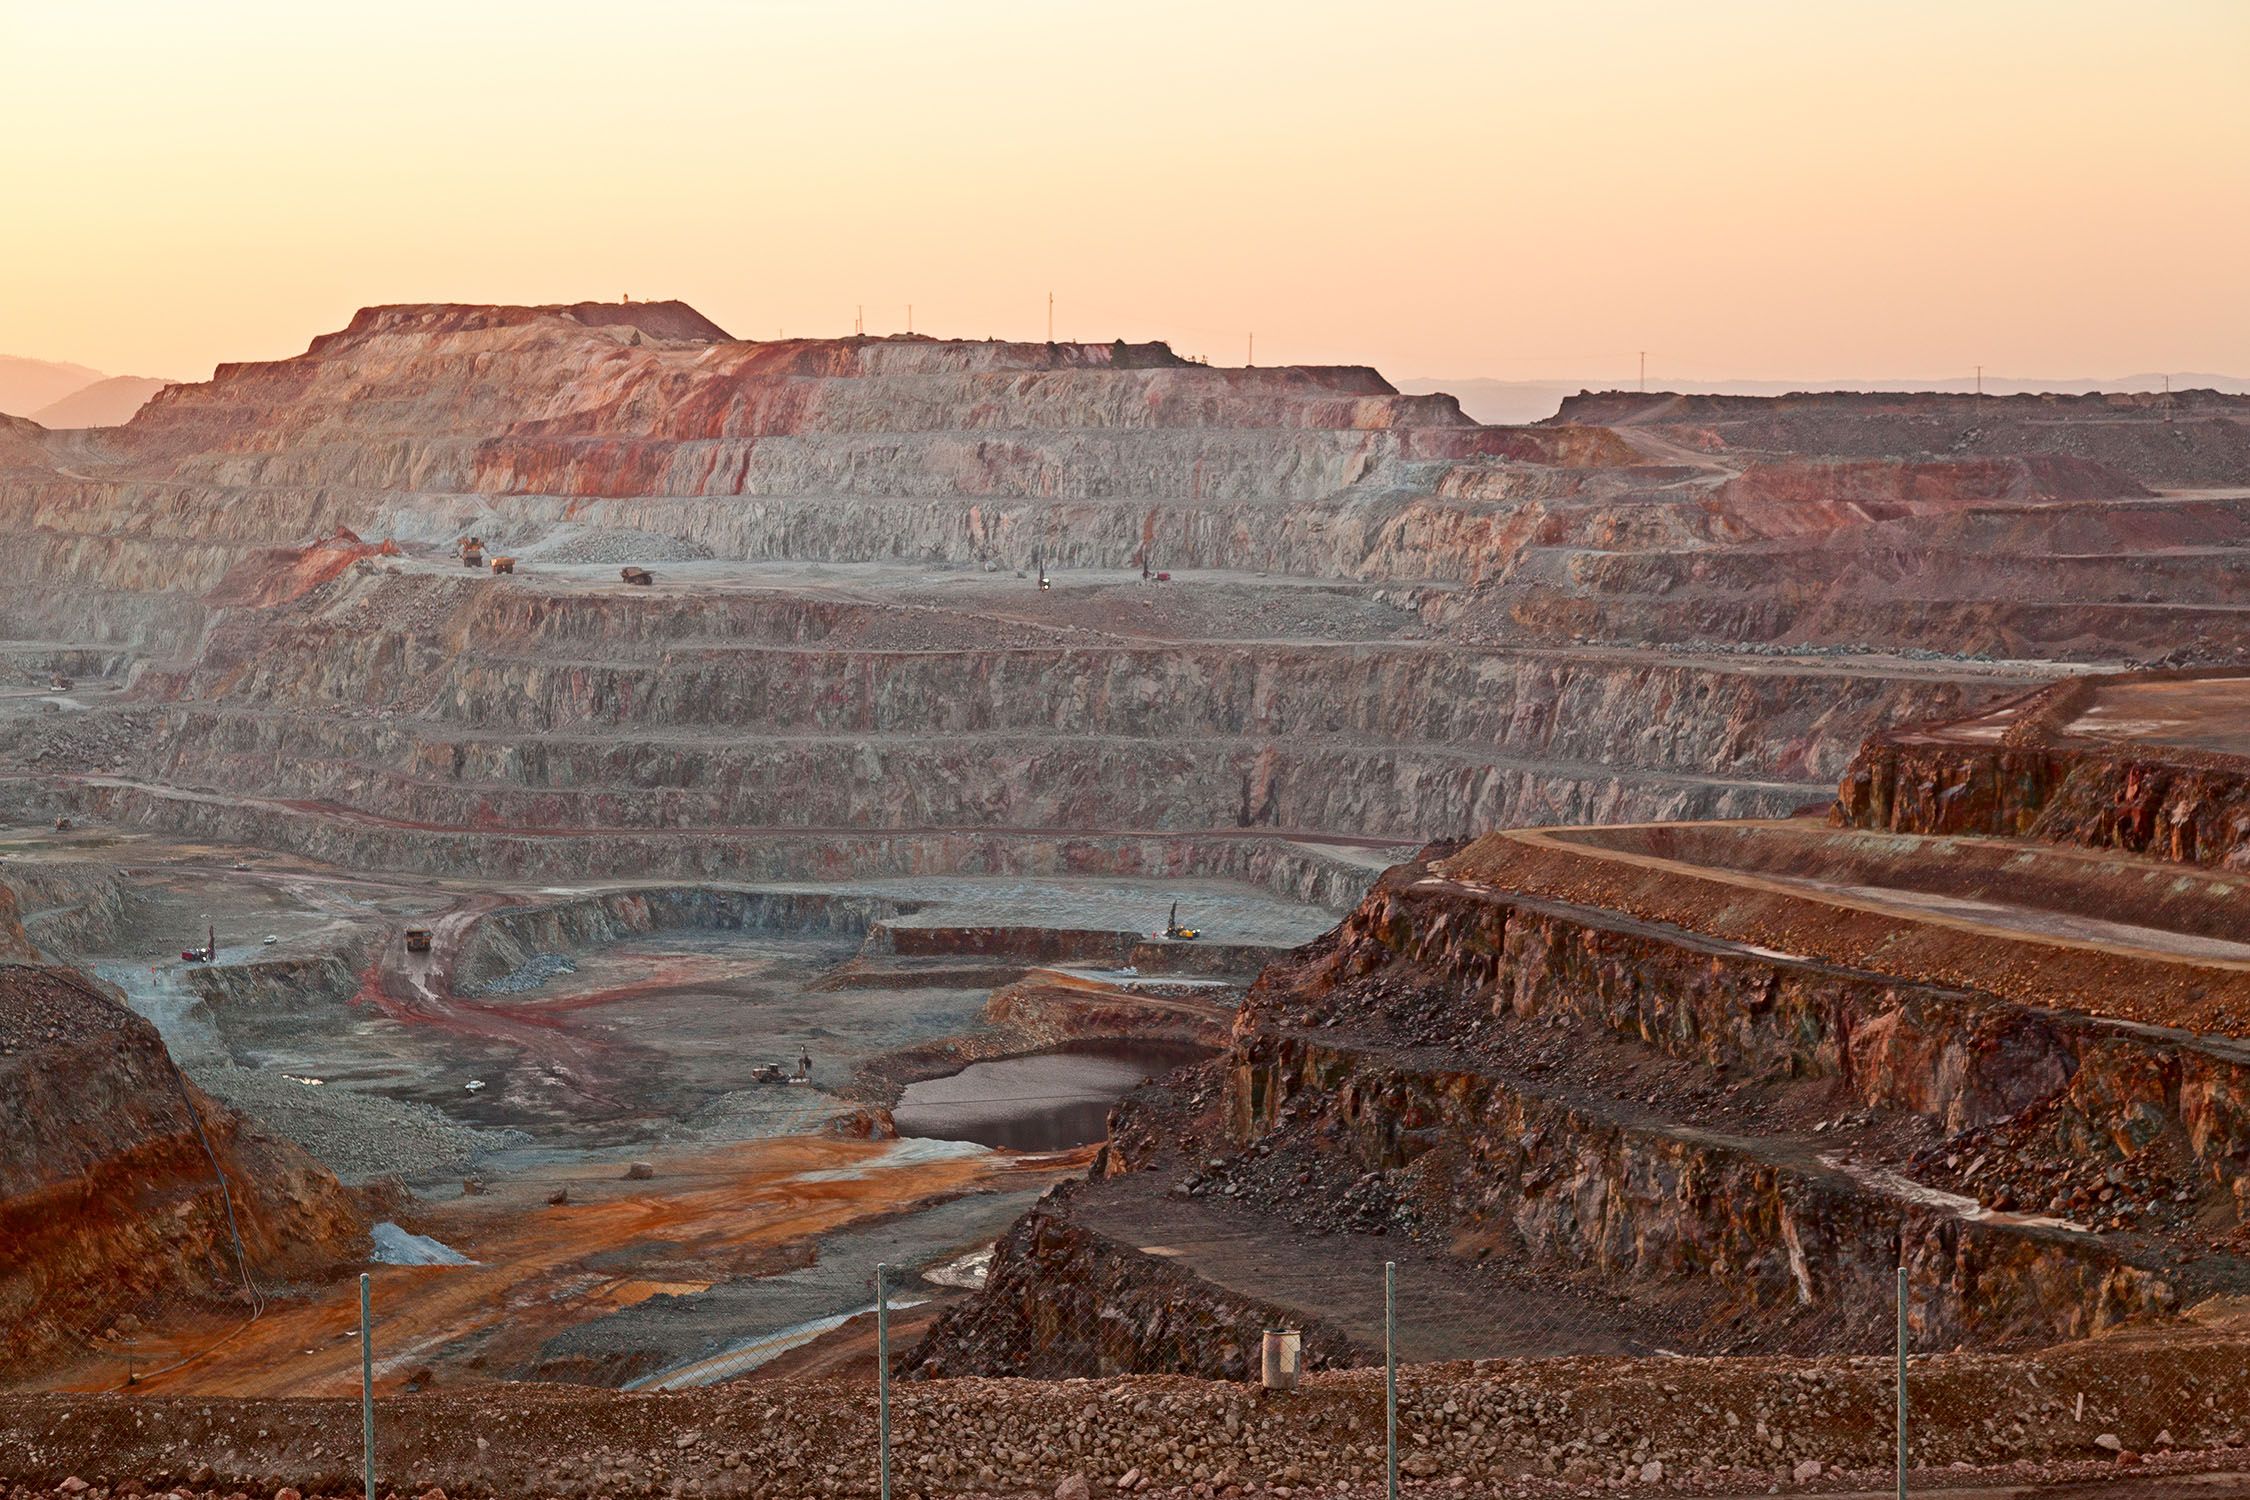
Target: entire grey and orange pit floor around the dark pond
(609, 1056)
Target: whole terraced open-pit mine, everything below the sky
(620, 831)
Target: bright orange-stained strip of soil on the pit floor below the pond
(703, 1218)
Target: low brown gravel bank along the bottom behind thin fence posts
(1491, 1429)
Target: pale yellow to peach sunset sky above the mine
(1758, 190)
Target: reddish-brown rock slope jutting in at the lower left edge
(111, 1173)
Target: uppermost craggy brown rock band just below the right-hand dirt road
(1968, 1060)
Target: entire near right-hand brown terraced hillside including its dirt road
(1729, 1078)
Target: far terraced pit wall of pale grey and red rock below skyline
(1387, 620)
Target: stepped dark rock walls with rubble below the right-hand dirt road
(1450, 1063)
